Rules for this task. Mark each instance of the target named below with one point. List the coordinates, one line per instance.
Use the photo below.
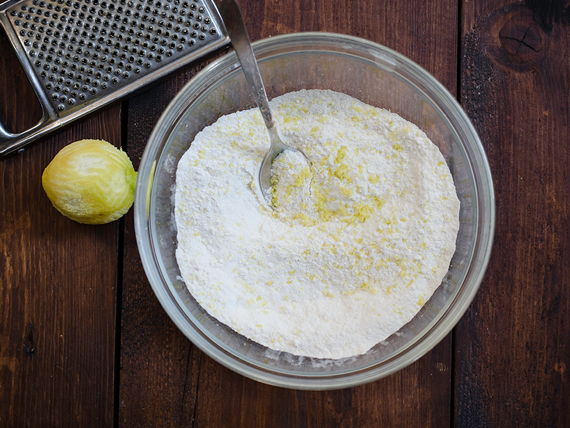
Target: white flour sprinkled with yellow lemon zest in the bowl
(356, 246)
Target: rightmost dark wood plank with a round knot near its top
(513, 346)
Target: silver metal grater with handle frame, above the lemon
(82, 54)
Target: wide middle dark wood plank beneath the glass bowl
(164, 380)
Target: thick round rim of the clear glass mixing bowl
(443, 323)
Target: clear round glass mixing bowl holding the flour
(377, 76)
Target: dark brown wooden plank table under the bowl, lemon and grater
(85, 343)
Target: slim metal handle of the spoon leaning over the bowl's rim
(231, 15)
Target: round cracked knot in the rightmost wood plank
(522, 38)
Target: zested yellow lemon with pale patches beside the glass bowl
(91, 182)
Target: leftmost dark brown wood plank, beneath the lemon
(58, 284)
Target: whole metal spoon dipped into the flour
(235, 26)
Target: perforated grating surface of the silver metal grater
(83, 49)
